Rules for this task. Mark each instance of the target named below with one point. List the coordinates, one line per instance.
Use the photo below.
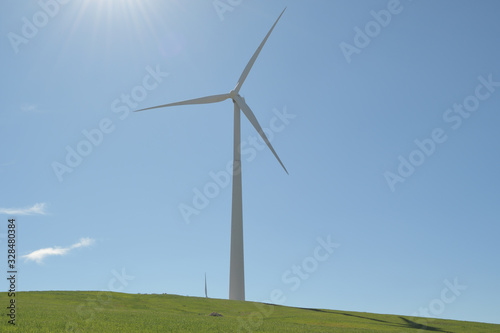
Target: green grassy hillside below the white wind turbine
(77, 311)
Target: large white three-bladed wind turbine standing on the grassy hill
(236, 268)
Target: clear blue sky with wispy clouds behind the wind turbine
(385, 114)
